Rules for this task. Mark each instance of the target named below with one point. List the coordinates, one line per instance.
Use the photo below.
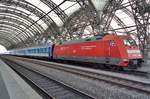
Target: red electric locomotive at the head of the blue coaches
(111, 50)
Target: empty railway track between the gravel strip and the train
(122, 82)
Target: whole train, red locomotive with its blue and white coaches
(111, 50)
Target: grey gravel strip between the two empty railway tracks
(100, 90)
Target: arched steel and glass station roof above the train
(25, 23)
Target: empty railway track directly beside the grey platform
(53, 88)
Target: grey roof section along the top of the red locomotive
(95, 38)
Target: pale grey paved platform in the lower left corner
(12, 86)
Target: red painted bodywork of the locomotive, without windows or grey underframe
(100, 48)
